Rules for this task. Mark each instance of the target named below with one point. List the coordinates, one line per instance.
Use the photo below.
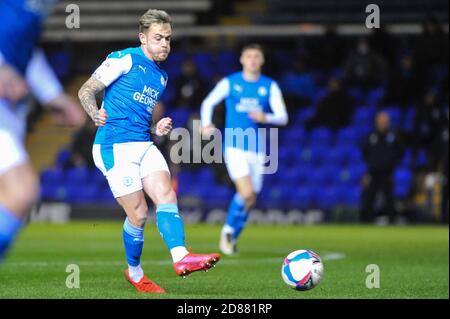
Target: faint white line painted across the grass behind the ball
(232, 260)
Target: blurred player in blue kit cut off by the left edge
(24, 69)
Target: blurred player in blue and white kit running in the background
(251, 100)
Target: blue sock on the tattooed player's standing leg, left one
(133, 239)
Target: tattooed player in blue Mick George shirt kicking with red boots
(133, 82)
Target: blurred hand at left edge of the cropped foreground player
(12, 86)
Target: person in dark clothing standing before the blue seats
(382, 152)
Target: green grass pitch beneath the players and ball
(413, 262)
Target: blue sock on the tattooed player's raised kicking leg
(170, 225)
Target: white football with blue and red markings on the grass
(302, 270)
